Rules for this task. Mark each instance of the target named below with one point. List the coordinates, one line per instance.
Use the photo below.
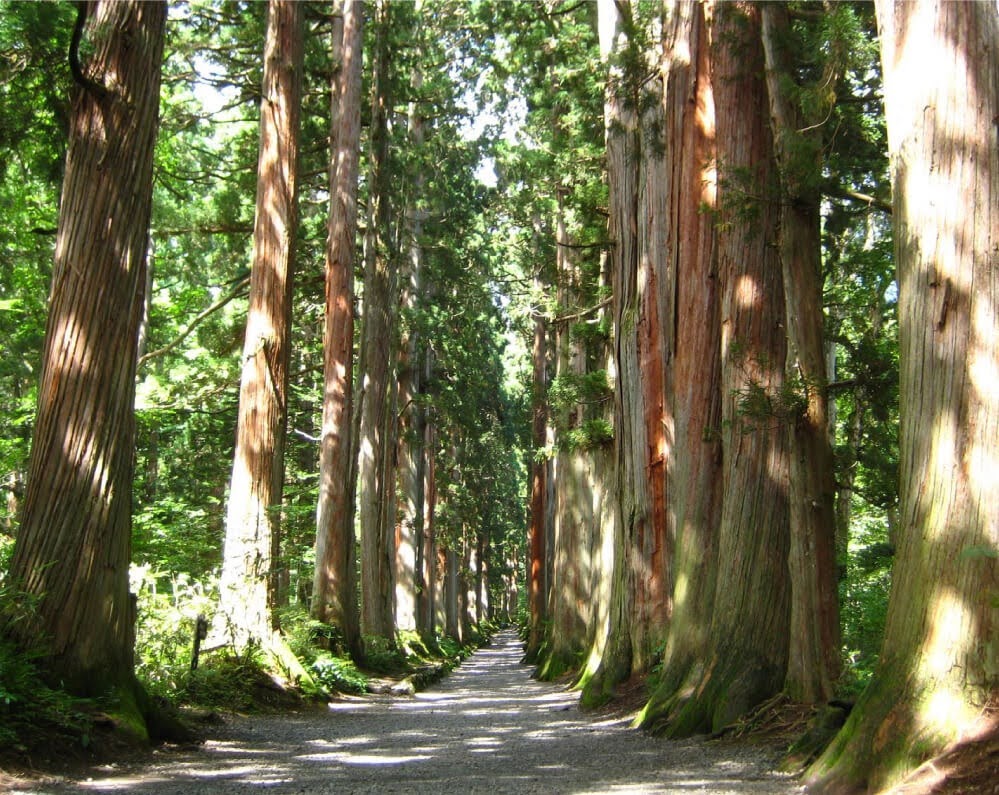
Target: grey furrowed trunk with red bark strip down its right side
(639, 605)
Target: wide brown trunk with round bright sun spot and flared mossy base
(746, 649)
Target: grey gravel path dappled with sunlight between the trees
(487, 728)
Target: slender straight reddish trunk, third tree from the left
(335, 587)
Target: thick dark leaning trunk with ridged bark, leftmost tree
(74, 546)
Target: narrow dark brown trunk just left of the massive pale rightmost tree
(814, 655)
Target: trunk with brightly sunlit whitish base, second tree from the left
(255, 489)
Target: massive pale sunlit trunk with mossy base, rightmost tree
(939, 668)
